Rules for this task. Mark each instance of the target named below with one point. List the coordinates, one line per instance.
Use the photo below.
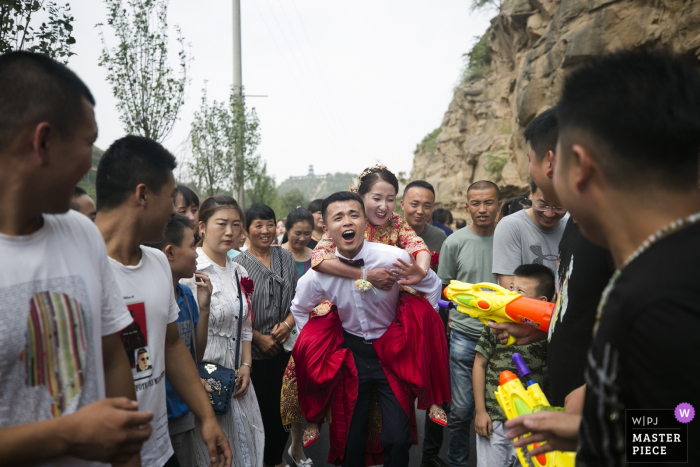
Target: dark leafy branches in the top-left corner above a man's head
(53, 37)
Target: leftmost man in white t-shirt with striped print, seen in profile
(60, 307)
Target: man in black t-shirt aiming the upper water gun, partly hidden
(583, 271)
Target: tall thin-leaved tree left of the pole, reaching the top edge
(149, 95)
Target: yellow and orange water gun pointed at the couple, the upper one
(486, 301)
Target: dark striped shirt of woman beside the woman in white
(274, 290)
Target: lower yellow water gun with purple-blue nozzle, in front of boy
(515, 401)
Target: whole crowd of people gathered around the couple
(149, 328)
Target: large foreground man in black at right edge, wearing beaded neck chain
(629, 139)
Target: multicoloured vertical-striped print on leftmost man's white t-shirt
(55, 351)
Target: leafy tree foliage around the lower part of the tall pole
(224, 143)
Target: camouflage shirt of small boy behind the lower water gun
(499, 359)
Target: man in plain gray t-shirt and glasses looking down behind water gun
(530, 236)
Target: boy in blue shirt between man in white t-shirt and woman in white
(192, 322)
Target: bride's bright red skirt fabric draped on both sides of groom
(413, 353)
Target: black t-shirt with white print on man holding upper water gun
(583, 272)
